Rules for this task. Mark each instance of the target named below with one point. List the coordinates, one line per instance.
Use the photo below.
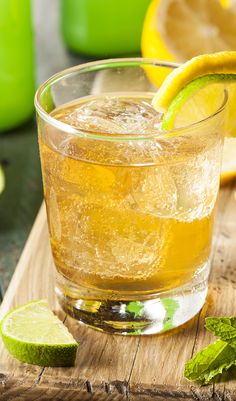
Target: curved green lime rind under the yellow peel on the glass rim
(169, 117)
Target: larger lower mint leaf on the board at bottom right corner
(210, 362)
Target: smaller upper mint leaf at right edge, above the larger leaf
(223, 327)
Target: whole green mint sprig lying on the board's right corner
(219, 356)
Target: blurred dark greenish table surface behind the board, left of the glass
(19, 149)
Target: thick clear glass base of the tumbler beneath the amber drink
(149, 314)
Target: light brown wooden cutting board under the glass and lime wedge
(110, 367)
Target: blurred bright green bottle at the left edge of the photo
(17, 84)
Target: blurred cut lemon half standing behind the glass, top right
(179, 30)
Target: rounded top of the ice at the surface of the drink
(114, 115)
